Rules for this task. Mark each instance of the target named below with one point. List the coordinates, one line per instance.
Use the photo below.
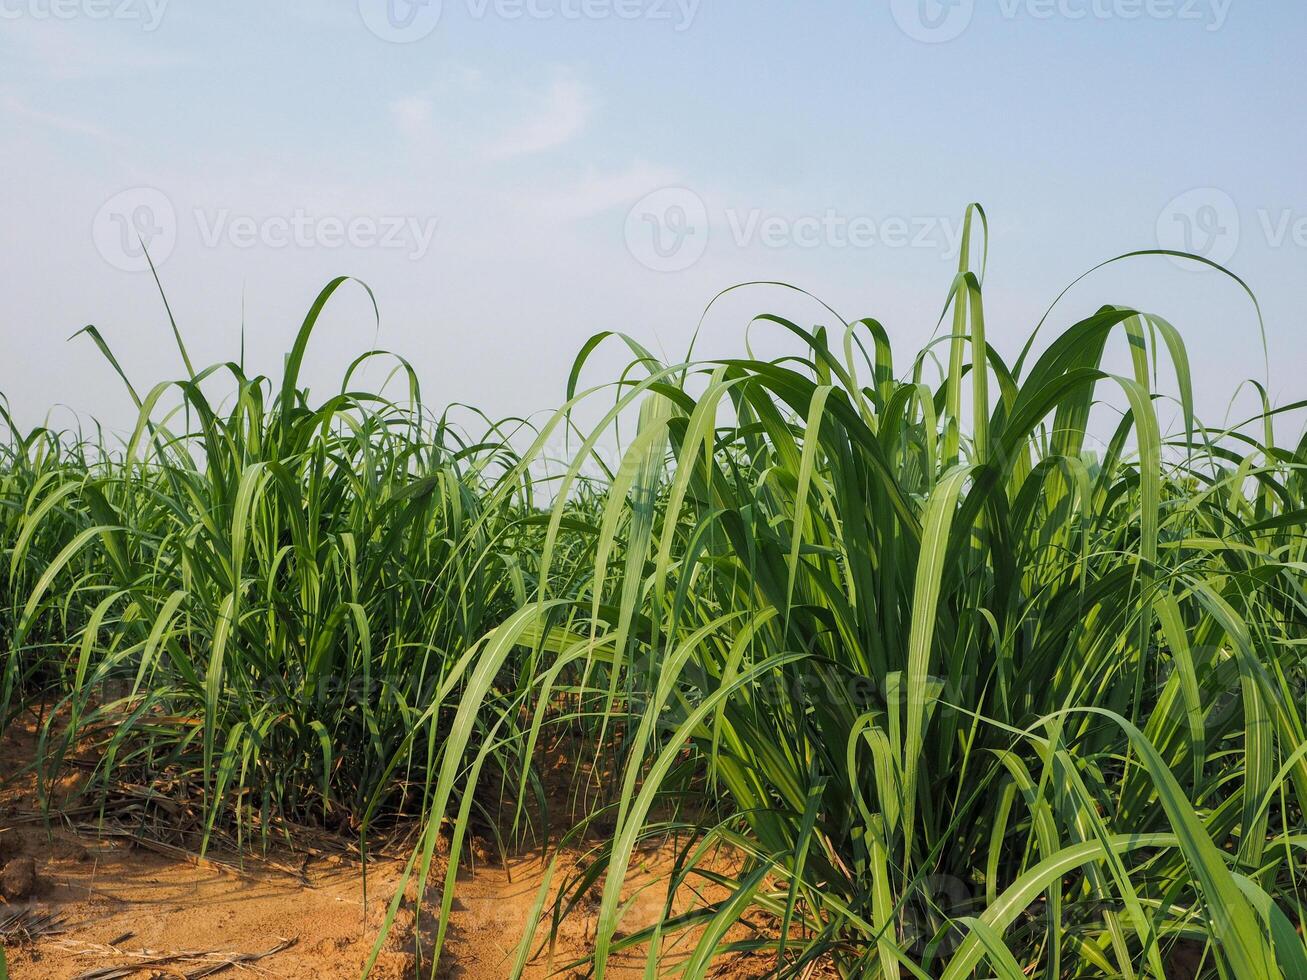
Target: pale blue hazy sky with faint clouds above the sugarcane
(483, 178)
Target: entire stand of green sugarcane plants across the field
(968, 696)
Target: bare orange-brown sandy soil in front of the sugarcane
(154, 913)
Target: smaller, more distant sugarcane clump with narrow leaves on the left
(263, 600)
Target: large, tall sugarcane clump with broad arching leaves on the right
(1011, 705)
